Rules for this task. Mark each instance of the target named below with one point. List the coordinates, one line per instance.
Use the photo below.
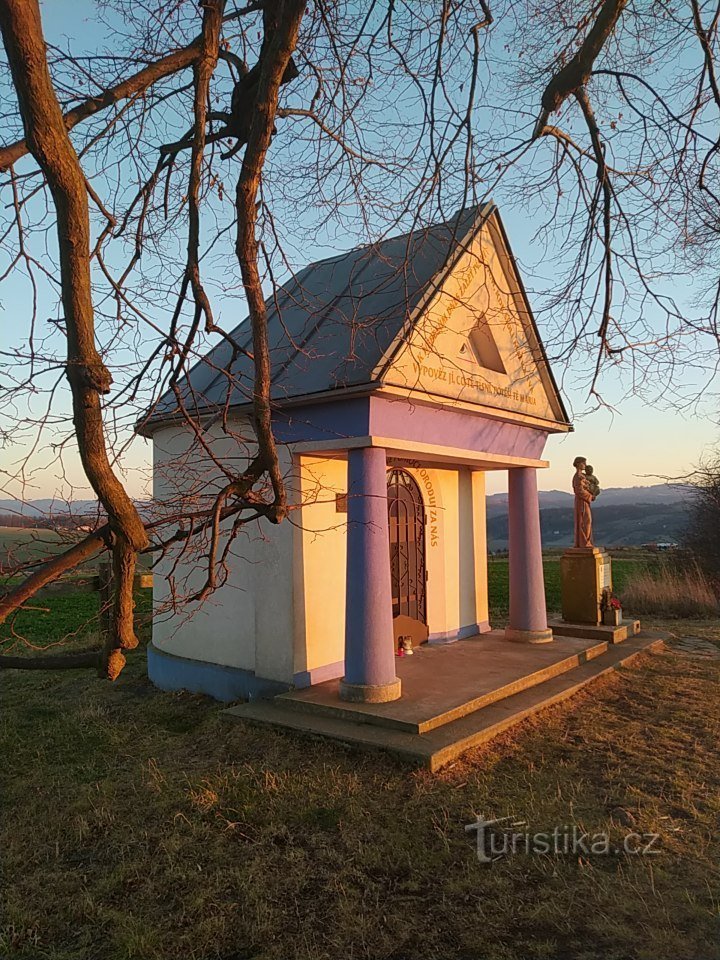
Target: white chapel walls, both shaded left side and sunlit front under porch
(282, 610)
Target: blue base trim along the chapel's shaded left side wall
(198, 676)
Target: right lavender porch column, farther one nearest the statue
(528, 616)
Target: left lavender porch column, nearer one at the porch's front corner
(369, 646)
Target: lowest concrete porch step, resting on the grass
(446, 743)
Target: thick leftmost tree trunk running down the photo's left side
(48, 140)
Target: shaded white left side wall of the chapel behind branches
(228, 626)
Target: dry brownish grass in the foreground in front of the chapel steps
(139, 824)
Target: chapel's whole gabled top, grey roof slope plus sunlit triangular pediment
(365, 318)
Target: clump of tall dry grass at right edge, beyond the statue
(668, 591)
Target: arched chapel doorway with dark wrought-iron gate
(406, 515)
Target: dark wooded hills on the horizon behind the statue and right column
(622, 516)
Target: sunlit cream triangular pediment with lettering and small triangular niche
(474, 341)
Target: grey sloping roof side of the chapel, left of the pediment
(331, 324)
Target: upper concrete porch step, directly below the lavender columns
(390, 715)
